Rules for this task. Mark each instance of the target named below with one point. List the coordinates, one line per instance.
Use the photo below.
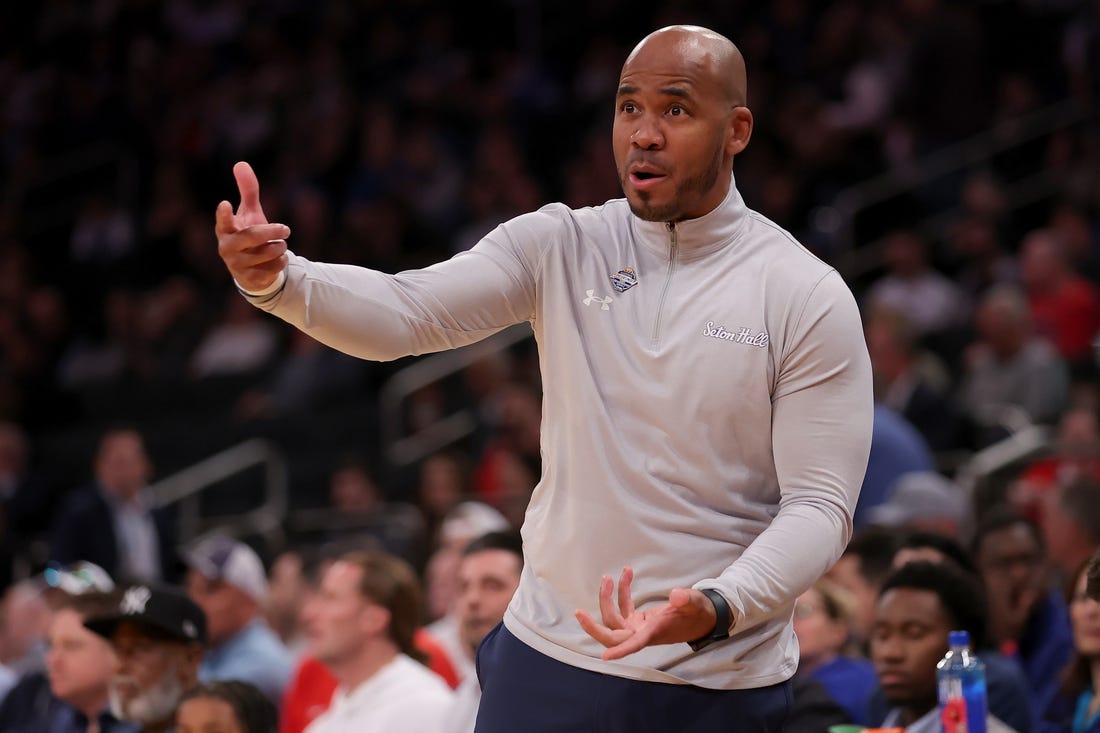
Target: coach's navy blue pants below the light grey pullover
(525, 691)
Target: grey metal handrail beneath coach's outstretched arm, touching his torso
(402, 451)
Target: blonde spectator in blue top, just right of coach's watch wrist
(822, 623)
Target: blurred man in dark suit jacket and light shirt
(115, 523)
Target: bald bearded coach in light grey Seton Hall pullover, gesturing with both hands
(707, 411)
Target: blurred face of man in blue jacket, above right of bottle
(1011, 564)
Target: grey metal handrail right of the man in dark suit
(186, 487)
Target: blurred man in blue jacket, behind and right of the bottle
(1028, 618)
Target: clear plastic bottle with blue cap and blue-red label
(961, 677)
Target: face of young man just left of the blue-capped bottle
(908, 639)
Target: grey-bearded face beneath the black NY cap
(153, 675)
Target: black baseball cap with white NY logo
(166, 612)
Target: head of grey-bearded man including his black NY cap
(158, 634)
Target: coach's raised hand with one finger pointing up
(252, 249)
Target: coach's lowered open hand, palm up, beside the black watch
(687, 617)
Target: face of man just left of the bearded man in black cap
(81, 663)
